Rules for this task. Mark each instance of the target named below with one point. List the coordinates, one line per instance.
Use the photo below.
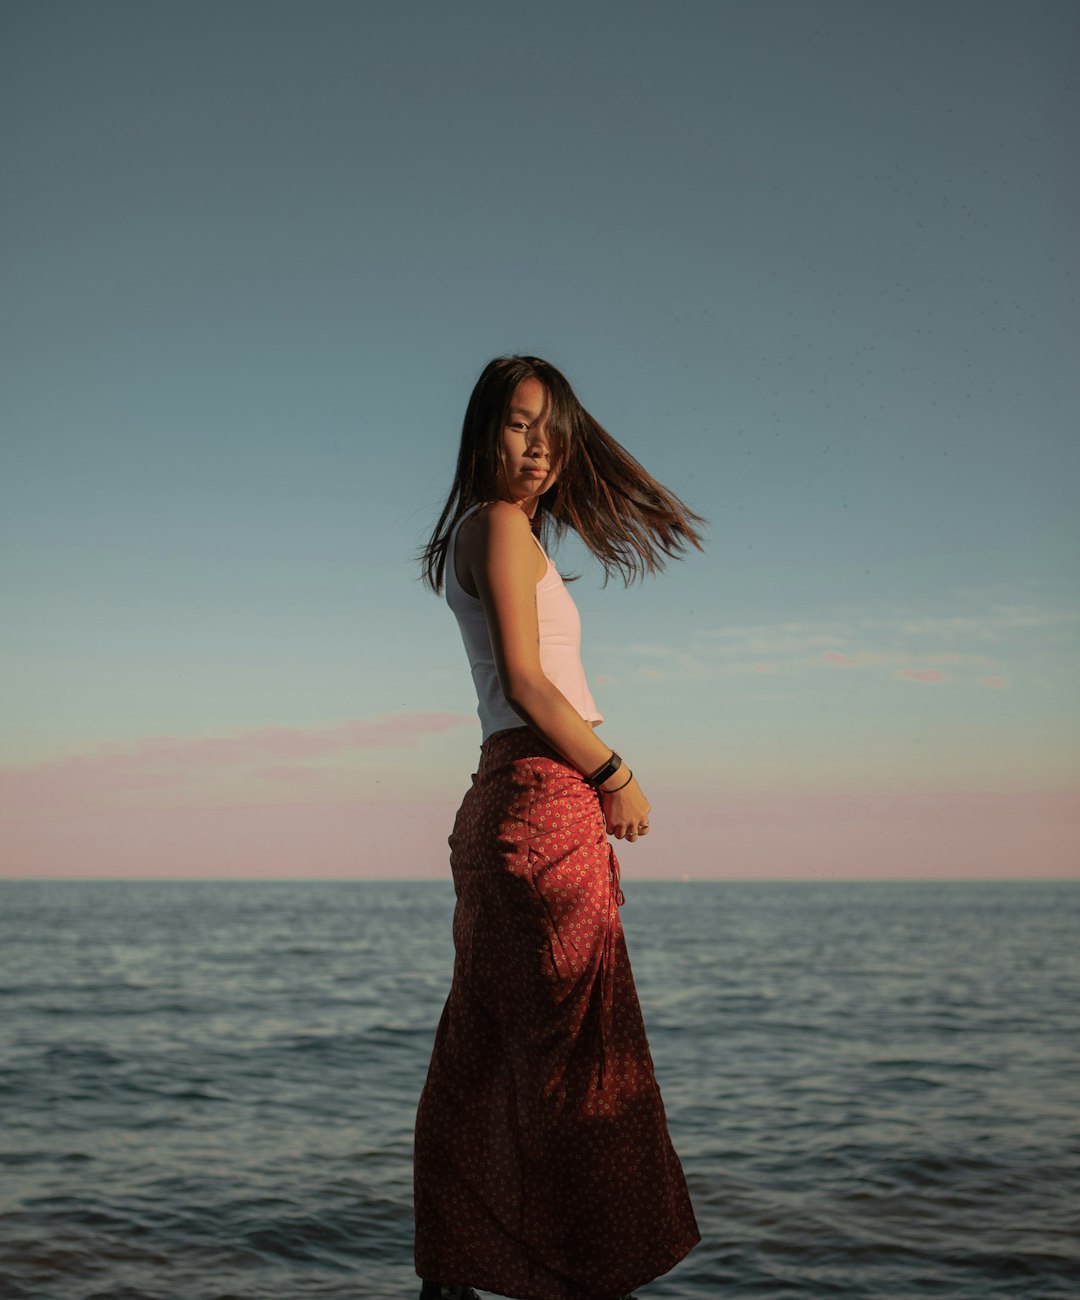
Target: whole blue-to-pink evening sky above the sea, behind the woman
(813, 262)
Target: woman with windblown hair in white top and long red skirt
(544, 1169)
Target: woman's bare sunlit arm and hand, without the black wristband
(502, 561)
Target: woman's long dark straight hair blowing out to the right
(627, 519)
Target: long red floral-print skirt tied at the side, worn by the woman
(544, 1169)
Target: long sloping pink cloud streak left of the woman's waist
(170, 761)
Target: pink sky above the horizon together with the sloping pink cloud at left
(88, 816)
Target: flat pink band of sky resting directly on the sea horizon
(1027, 835)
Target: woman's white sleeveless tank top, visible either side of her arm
(559, 644)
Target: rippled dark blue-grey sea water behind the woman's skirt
(209, 1089)
